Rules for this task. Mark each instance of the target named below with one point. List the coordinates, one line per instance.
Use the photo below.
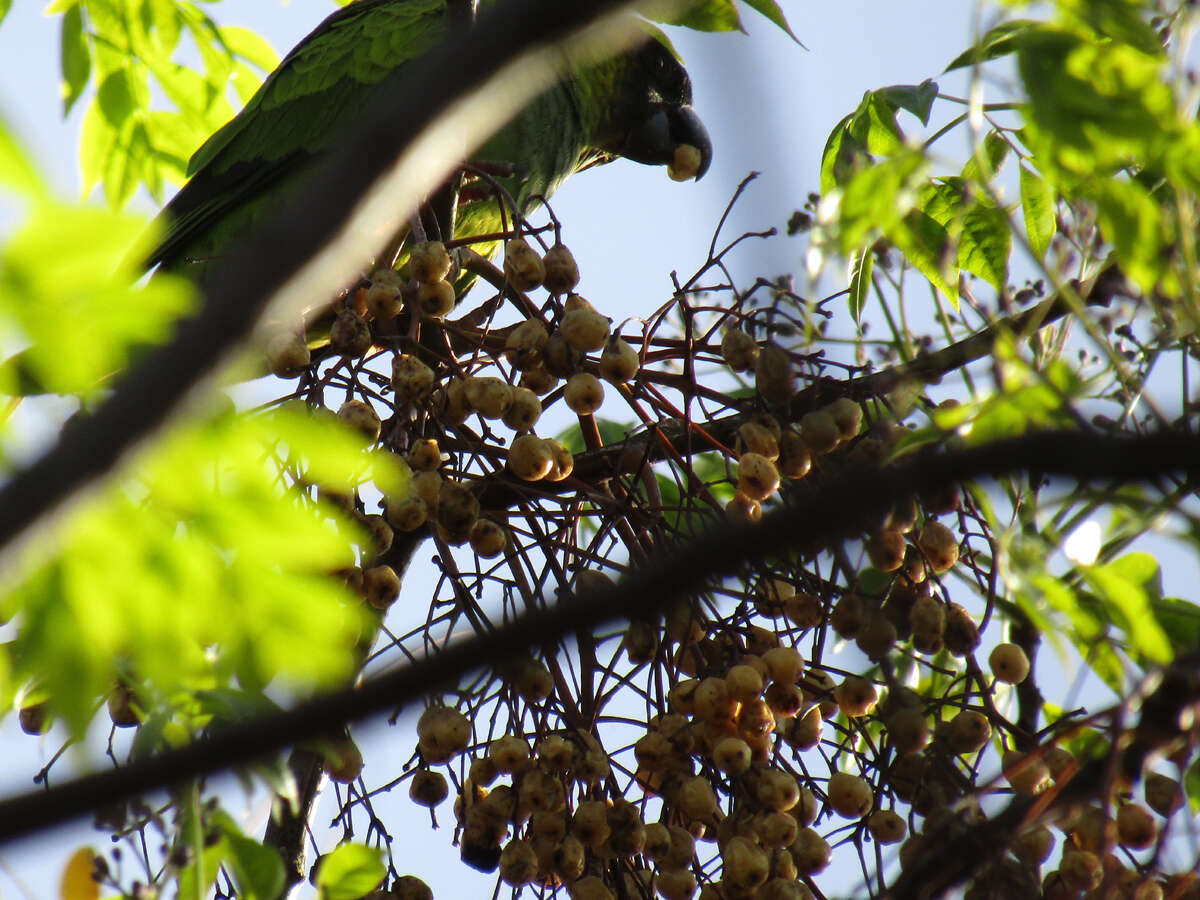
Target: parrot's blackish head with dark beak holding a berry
(661, 121)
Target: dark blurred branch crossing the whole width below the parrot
(802, 525)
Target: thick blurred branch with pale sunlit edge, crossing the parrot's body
(374, 179)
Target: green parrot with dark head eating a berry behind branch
(635, 106)
